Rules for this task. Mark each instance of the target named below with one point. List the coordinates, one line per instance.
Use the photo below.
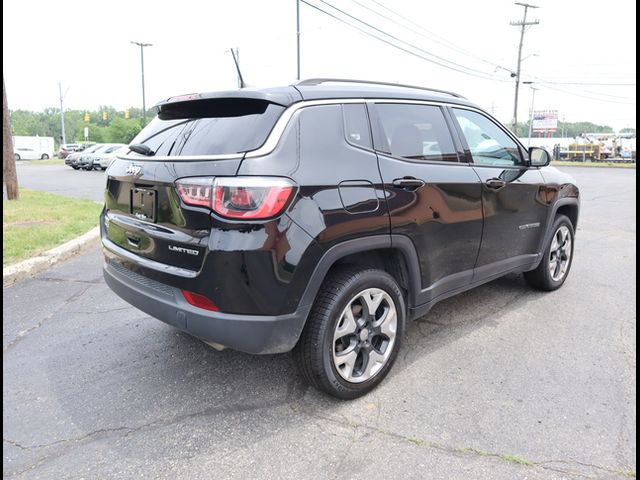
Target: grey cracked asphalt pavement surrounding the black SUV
(501, 382)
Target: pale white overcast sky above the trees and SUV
(581, 56)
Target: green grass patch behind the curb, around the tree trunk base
(40, 221)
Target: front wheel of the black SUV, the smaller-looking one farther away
(557, 257)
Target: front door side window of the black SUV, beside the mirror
(488, 143)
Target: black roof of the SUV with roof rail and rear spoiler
(320, 89)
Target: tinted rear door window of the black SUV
(418, 132)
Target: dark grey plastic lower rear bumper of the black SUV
(255, 334)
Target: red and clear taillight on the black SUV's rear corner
(246, 198)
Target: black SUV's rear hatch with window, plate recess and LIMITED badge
(144, 216)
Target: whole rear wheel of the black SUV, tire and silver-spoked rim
(353, 332)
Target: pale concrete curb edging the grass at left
(32, 266)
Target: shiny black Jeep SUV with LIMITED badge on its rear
(323, 216)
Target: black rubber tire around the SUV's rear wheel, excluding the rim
(314, 353)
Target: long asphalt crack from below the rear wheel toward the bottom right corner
(458, 451)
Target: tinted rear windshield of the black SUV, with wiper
(209, 127)
